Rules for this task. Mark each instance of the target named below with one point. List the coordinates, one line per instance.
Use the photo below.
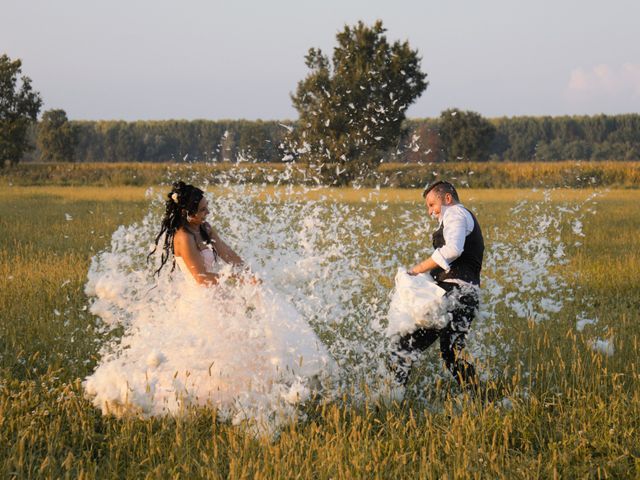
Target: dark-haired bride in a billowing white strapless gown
(211, 336)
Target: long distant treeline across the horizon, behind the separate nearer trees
(516, 139)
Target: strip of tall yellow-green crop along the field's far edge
(572, 174)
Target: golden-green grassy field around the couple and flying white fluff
(572, 412)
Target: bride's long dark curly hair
(182, 200)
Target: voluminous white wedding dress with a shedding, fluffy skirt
(239, 348)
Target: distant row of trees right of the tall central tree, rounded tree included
(521, 139)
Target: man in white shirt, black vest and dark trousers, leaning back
(455, 266)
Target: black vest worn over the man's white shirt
(468, 265)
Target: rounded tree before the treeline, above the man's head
(465, 136)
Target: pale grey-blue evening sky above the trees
(234, 59)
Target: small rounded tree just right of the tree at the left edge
(57, 138)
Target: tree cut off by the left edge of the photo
(19, 107)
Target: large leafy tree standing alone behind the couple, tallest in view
(352, 107)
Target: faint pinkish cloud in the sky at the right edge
(606, 81)
